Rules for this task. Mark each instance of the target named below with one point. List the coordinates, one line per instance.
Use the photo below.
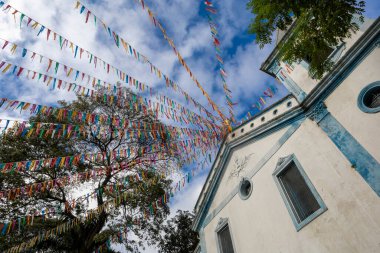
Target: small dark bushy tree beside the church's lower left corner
(178, 236)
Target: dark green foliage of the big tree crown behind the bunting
(92, 233)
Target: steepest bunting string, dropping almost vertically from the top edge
(209, 7)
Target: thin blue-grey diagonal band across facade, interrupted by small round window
(205, 221)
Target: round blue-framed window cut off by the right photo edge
(369, 98)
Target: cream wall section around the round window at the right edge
(342, 104)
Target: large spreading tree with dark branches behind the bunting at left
(135, 174)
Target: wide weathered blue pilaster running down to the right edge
(361, 160)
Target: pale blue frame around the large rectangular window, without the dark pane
(322, 206)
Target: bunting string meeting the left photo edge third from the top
(168, 112)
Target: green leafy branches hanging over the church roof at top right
(318, 26)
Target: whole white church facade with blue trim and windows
(304, 174)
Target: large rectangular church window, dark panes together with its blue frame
(300, 196)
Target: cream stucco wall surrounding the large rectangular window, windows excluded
(262, 222)
